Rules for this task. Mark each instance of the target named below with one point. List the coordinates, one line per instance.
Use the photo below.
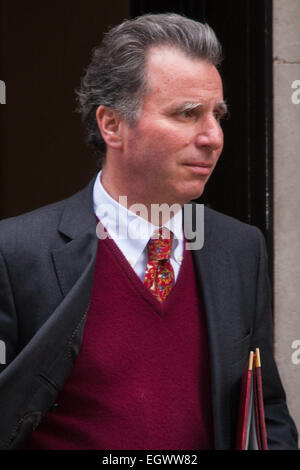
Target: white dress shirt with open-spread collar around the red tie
(131, 232)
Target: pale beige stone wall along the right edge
(286, 55)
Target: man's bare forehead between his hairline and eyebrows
(171, 72)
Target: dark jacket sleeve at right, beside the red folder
(281, 430)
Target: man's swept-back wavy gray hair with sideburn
(116, 75)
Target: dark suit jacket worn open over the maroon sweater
(47, 260)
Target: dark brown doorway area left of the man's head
(44, 48)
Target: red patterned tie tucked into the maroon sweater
(159, 274)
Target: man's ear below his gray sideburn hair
(109, 123)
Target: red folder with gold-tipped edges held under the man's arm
(251, 433)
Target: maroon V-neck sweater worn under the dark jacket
(141, 379)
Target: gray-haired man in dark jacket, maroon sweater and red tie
(138, 342)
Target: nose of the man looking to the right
(209, 134)
